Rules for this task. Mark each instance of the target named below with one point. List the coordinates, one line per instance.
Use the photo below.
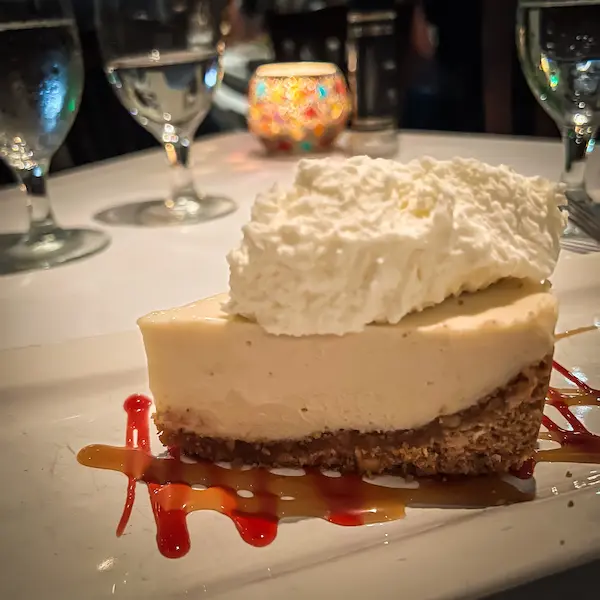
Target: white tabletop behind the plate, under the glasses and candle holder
(150, 268)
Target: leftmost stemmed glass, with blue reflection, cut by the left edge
(41, 79)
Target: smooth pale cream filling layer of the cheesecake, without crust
(224, 376)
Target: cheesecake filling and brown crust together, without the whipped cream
(457, 388)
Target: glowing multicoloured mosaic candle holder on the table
(298, 107)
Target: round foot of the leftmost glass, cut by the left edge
(19, 253)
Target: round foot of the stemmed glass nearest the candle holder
(159, 213)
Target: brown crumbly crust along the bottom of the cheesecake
(494, 436)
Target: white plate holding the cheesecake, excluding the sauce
(58, 519)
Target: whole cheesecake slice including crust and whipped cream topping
(380, 316)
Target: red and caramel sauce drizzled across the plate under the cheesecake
(257, 499)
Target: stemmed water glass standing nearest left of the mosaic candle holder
(163, 60)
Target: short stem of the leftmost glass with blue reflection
(41, 216)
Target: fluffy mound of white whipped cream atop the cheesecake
(363, 240)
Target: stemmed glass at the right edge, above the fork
(559, 49)
